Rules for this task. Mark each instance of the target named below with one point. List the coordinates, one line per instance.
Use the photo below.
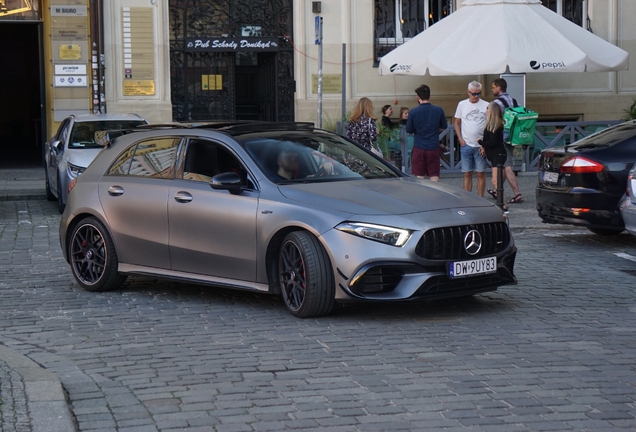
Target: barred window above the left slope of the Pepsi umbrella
(397, 21)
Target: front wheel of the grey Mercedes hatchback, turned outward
(306, 276)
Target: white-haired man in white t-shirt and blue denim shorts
(470, 118)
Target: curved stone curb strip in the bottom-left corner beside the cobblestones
(45, 398)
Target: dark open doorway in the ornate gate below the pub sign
(255, 86)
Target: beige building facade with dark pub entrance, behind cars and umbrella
(192, 60)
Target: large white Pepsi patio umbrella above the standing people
(488, 36)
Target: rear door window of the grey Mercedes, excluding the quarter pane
(154, 158)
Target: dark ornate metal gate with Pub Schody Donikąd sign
(231, 59)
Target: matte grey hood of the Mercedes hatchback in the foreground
(398, 196)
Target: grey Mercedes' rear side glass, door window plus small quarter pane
(151, 158)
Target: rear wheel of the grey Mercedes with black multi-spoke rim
(93, 258)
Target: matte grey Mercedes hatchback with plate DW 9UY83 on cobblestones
(280, 208)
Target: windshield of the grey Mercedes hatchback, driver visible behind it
(301, 157)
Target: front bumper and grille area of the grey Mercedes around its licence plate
(369, 271)
